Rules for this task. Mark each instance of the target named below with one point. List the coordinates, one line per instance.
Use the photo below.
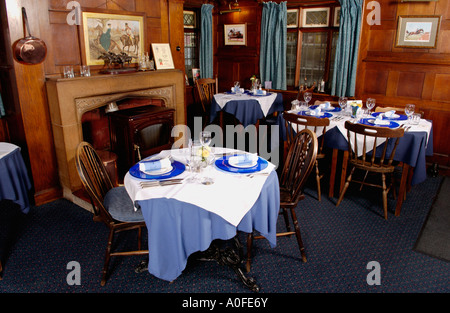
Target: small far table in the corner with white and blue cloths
(247, 107)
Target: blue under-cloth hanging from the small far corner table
(248, 112)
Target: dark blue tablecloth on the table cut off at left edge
(14, 181)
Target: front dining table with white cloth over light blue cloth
(186, 217)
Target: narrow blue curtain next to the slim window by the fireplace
(206, 42)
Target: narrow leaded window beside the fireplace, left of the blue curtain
(191, 40)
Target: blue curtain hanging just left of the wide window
(272, 58)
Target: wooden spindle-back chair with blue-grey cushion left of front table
(111, 205)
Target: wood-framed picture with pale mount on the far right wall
(417, 31)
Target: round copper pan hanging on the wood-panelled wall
(29, 50)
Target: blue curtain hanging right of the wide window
(344, 75)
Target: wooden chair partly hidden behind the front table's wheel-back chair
(294, 123)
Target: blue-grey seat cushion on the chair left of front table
(119, 205)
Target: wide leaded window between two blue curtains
(311, 47)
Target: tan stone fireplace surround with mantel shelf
(69, 98)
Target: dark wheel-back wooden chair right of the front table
(299, 164)
